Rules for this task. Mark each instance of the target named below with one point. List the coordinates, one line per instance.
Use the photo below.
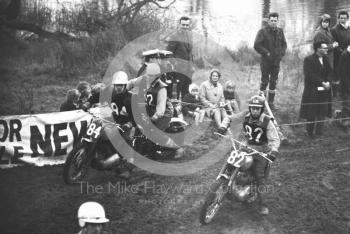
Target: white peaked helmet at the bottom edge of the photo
(91, 212)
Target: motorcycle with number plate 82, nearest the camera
(235, 181)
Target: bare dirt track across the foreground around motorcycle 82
(310, 195)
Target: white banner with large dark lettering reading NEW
(43, 136)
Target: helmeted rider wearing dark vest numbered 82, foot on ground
(262, 135)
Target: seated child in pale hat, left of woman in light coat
(192, 105)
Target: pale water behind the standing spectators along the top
(233, 22)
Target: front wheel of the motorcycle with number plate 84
(76, 165)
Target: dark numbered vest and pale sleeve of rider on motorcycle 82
(261, 131)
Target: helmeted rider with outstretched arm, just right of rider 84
(158, 106)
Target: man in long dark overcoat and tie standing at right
(317, 90)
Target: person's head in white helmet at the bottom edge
(91, 217)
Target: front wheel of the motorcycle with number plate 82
(213, 201)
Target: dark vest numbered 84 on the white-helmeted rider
(121, 106)
